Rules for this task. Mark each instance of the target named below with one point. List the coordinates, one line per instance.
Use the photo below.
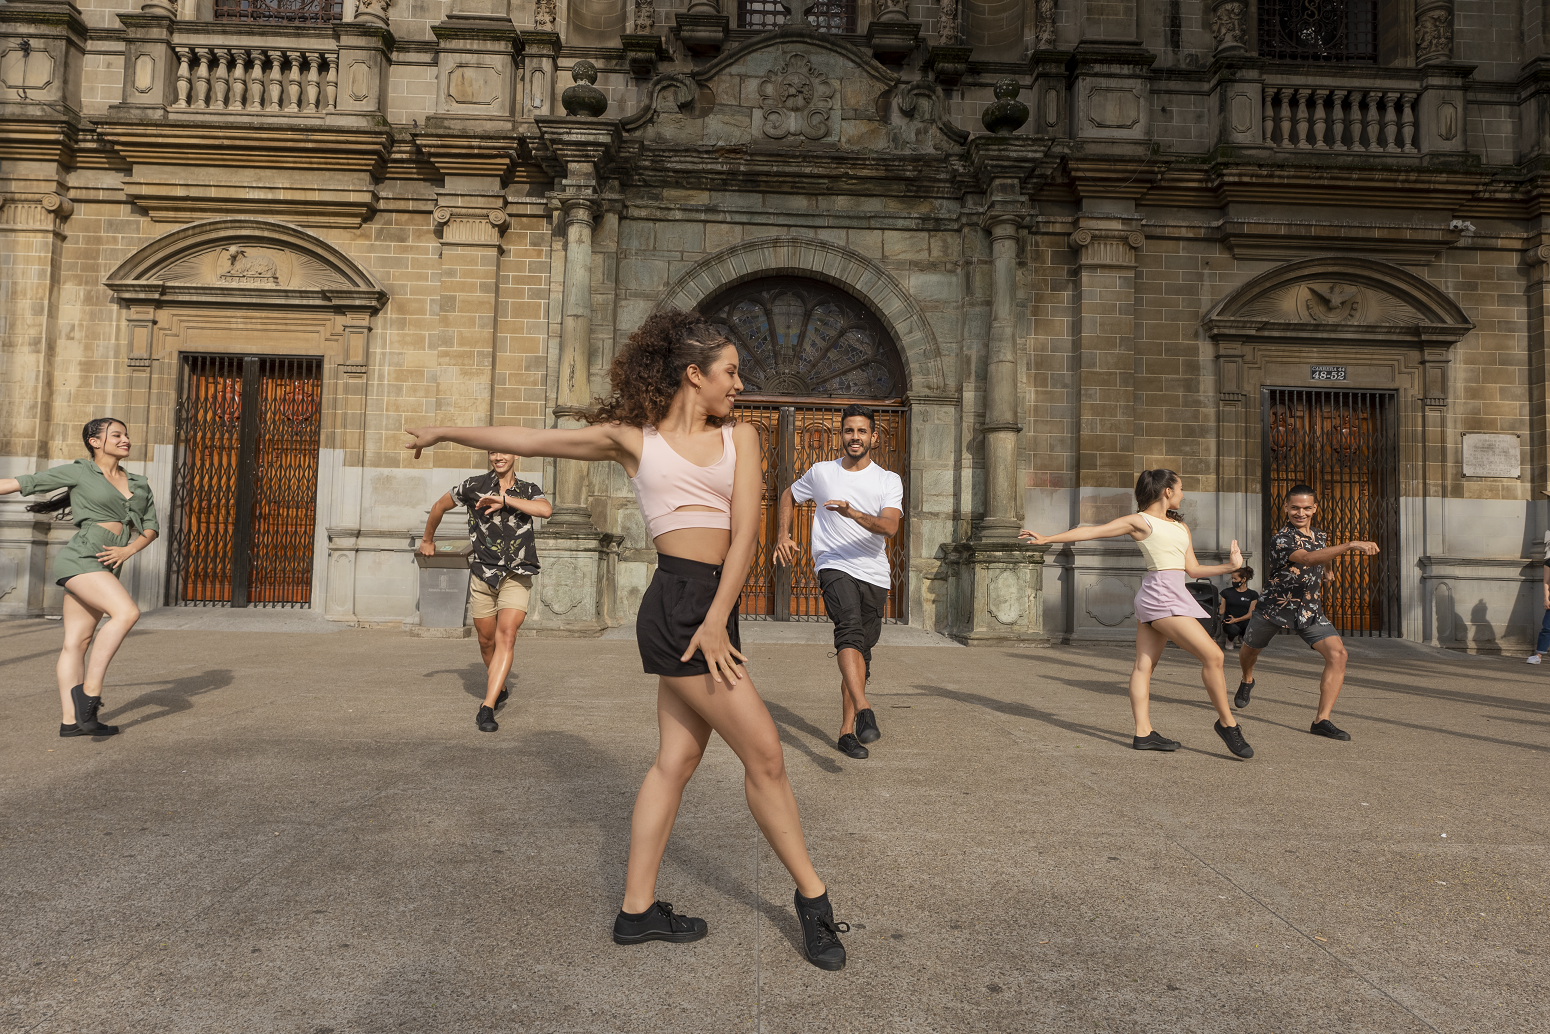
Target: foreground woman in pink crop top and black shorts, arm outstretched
(700, 484)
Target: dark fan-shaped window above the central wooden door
(799, 337)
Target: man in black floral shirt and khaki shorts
(501, 511)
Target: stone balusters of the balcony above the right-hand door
(1352, 119)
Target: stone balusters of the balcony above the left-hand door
(281, 80)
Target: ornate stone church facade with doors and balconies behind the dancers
(1055, 241)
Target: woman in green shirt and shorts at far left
(117, 519)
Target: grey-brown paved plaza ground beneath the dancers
(306, 833)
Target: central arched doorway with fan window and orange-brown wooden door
(808, 350)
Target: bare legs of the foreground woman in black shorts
(689, 711)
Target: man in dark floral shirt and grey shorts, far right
(1292, 601)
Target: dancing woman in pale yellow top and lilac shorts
(1165, 610)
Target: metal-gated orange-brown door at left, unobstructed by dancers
(246, 484)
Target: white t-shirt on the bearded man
(838, 542)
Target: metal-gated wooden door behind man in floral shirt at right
(1346, 446)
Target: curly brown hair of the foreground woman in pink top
(652, 367)
